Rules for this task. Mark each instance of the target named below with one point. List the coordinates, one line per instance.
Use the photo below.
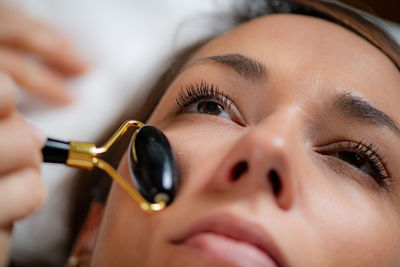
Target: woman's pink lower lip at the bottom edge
(230, 251)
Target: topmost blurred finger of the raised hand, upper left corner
(21, 31)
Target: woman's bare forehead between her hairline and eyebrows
(314, 52)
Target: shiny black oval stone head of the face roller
(152, 164)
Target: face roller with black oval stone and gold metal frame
(153, 168)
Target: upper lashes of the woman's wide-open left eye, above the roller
(196, 92)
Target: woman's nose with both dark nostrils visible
(264, 160)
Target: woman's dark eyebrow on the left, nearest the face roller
(251, 69)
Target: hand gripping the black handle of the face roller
(21, 189)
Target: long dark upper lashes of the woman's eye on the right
(371, 154)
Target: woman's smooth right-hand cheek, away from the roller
(352, 224)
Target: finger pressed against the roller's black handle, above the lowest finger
(19, 146)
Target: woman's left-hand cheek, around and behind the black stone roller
(138, 233)
